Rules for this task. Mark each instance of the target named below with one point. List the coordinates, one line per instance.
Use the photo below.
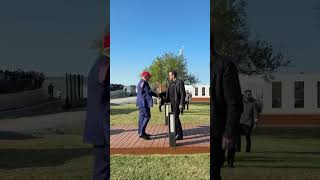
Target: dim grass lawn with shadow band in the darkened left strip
(45, 156)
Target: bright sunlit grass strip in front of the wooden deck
(160, 167)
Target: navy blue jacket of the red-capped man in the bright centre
(144, 95)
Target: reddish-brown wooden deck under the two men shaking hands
(125, 140)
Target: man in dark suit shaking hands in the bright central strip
(176, 94)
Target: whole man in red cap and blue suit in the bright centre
(144, 102)
